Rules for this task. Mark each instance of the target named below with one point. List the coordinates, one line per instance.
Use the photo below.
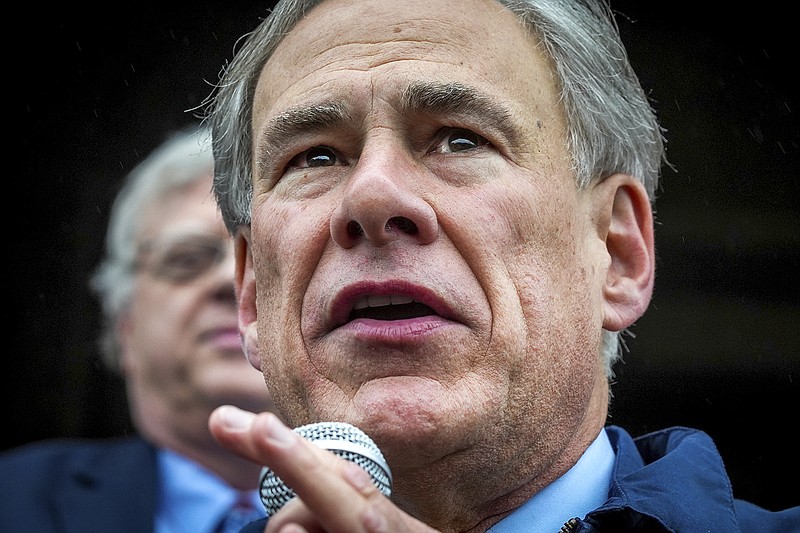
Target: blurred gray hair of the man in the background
(182, 159)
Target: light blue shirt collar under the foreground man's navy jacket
(582, 489)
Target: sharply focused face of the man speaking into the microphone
(425, 266)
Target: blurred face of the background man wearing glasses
(182, 352)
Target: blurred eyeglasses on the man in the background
(182, 258)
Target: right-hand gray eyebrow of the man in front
(442, 99)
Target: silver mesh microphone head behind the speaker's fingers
(340, 438)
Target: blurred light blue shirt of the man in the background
(192, 499)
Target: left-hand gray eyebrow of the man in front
(297, 121)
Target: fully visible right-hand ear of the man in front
(625, 219)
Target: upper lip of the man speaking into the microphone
(376, 293)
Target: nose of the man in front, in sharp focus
(380, 206)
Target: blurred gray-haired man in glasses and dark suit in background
(167, 294)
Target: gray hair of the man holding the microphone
(611, 126)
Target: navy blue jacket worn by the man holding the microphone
(671, 480)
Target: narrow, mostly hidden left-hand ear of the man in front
(245, 285)
